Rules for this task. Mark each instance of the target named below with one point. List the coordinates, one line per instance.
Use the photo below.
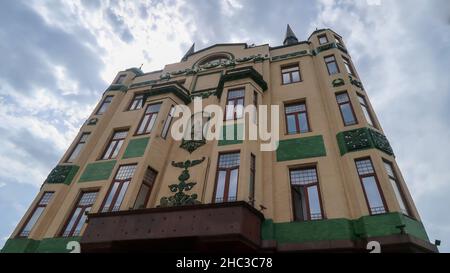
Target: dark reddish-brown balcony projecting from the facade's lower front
(220, 227)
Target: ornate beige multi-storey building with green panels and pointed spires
(332, 184)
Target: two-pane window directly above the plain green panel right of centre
(297, 118)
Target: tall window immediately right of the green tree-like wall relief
(227, 178)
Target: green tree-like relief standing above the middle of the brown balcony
(180, 198)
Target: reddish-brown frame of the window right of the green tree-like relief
(228, 171)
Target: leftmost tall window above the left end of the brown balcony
(118, 188)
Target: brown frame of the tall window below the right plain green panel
(305, 192)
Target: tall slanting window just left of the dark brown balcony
(78, 216)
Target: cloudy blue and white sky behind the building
(59, 56)
